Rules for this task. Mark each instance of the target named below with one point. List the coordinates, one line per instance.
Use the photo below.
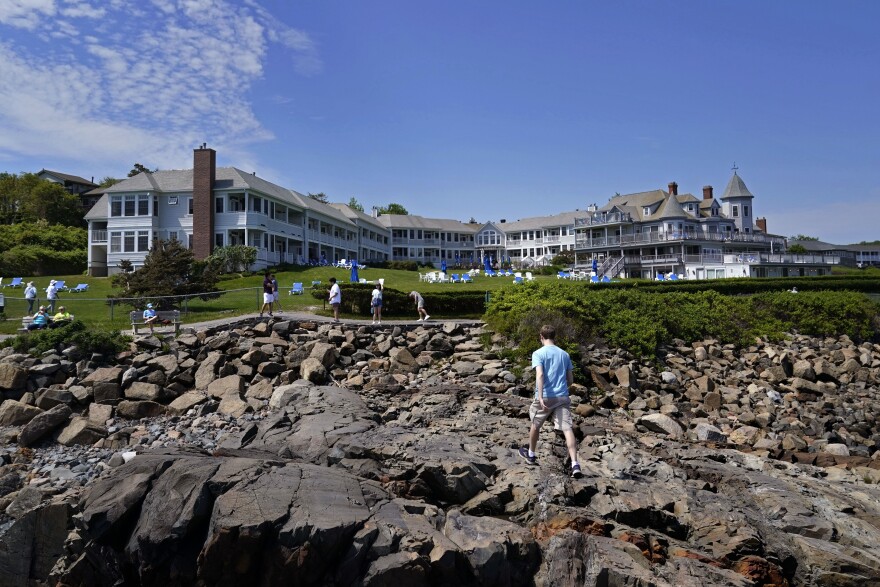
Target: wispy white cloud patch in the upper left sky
(146, 87)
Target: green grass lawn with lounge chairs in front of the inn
(244, 295)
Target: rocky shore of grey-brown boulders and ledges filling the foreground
(316, 454)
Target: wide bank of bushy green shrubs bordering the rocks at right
(641, 320)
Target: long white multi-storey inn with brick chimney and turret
(640, 234)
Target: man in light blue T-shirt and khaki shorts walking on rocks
(553, 376)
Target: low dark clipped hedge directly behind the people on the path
(356, 298)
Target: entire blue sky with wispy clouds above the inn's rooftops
(460, 109)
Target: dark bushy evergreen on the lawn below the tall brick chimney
(169, 270)
